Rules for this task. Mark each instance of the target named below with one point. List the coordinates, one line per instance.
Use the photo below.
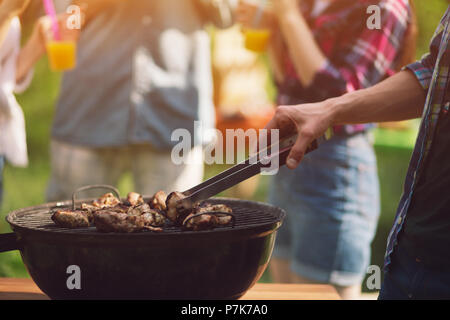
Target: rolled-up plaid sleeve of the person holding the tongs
(423, 69)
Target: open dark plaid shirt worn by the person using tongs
(432, 71)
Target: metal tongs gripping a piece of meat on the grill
(244, 170)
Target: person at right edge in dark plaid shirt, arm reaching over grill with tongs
(417, 259)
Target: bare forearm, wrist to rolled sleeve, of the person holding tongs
(400, 97)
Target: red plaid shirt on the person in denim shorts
(357, 57)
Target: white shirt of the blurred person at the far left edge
(12, 123)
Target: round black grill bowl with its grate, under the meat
(217, 264)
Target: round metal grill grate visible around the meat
(248, 215)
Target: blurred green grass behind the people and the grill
(26, 187)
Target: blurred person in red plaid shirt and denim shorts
(322, 49)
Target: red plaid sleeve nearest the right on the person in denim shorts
(369, 58)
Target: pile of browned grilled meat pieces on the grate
(109, 214)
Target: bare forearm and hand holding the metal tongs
(400, 97)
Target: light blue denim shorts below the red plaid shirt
(332, 205)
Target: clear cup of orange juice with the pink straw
(61, 55)
